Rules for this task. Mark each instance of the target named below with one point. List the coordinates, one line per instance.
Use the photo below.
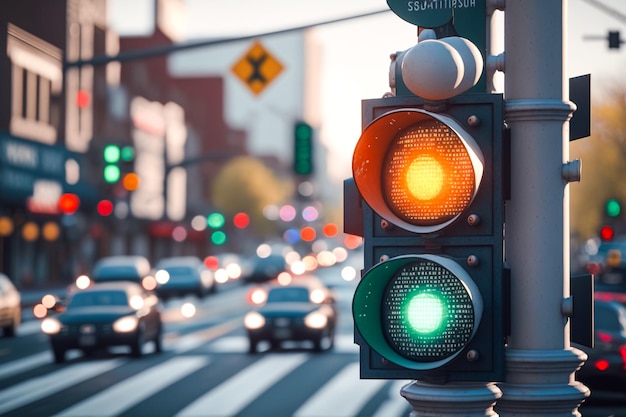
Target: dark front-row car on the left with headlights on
(106, 315)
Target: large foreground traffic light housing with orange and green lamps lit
(432, 302)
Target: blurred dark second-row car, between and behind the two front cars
(183, 275)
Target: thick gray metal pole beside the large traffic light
(540, 361)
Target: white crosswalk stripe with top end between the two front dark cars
(124, 395)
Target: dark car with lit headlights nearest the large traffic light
(303, 310)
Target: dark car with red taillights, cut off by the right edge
(605, 368)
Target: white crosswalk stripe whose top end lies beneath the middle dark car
(237, 392)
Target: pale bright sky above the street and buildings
(355, 54)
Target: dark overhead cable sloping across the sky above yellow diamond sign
(167, 49)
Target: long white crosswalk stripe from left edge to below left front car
(40, 387)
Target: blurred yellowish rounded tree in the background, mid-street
(246, 184)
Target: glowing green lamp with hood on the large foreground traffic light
(417, 311)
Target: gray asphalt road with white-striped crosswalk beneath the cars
(205, 370)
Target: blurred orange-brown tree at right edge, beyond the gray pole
(604, 164)
